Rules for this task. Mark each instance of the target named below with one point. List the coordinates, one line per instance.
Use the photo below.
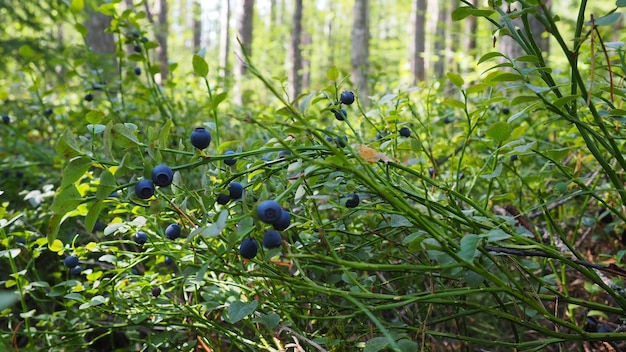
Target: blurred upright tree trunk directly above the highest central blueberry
(360, 49)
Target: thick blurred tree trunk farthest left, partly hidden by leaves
(101, 43)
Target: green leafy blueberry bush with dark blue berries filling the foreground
(491, 218)
